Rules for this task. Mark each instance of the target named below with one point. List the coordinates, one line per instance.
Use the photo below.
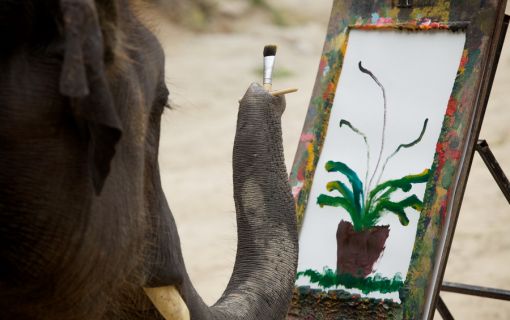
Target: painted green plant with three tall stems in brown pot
(361, 242)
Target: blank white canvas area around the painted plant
(418, 70)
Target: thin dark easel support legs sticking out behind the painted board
(495, 169)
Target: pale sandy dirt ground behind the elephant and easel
(207, 72)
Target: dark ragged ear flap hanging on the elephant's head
(83, 80)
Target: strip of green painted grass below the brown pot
(330, 279)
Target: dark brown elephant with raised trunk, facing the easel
(85, 229)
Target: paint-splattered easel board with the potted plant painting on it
(384, 154)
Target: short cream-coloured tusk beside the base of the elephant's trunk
(169, 302)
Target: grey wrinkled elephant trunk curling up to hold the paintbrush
(267, 248)
